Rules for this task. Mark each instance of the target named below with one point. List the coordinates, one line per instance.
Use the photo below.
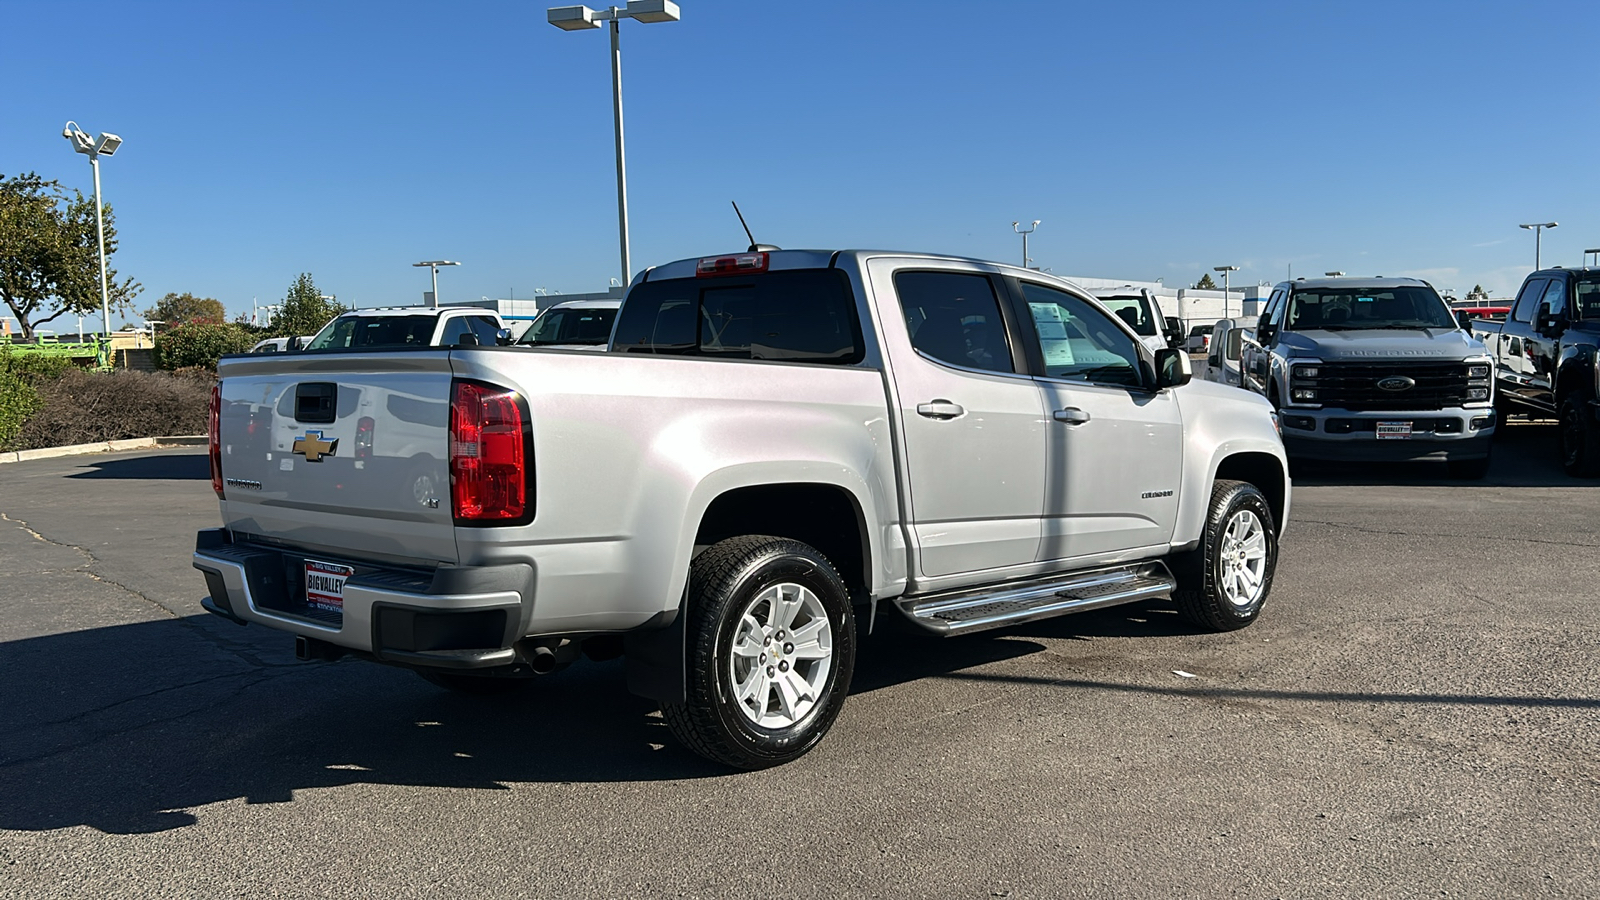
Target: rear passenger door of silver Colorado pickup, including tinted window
(972, 419)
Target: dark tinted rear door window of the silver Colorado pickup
(954, 318)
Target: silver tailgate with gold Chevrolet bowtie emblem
(342, 454)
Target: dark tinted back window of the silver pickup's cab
(785, 316)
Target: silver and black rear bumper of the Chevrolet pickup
(463, 619)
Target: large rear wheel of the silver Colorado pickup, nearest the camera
(758, 699)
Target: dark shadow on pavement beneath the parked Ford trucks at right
(1524, 456)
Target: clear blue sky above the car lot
(1154, 140)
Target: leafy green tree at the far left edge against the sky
(50, 257)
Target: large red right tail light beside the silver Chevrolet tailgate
(490, 456)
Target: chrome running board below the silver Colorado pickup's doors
(994, 606)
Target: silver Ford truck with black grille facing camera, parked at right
(1372, 371)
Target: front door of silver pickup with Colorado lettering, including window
(1114, 446)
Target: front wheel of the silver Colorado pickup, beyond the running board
(1214, 590)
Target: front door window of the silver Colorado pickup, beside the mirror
(1079, 342)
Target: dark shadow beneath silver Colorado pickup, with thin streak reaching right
(127, 729)
